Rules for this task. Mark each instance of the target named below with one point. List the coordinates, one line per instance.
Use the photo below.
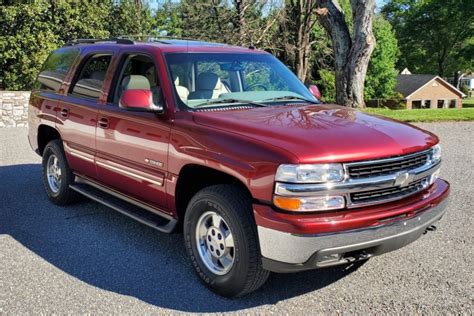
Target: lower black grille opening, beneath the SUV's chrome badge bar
(387, 194)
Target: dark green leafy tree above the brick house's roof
(435, 36)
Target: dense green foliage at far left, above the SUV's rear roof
(29, 32)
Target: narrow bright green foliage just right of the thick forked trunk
(381, 74)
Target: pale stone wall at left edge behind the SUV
(14, 108)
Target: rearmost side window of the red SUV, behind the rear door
(55, 69)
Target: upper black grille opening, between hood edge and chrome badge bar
(387, 166)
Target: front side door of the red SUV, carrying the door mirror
(132, 147)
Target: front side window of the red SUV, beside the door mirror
(137, 72)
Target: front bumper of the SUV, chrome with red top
(288, 251)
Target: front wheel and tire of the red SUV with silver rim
(234, 207)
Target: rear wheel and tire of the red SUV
(58, 191)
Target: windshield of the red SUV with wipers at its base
(217, 79)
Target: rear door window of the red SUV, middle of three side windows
(91, 76)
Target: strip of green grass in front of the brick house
(435, 115)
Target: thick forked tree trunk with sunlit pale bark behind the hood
(351, 55)
